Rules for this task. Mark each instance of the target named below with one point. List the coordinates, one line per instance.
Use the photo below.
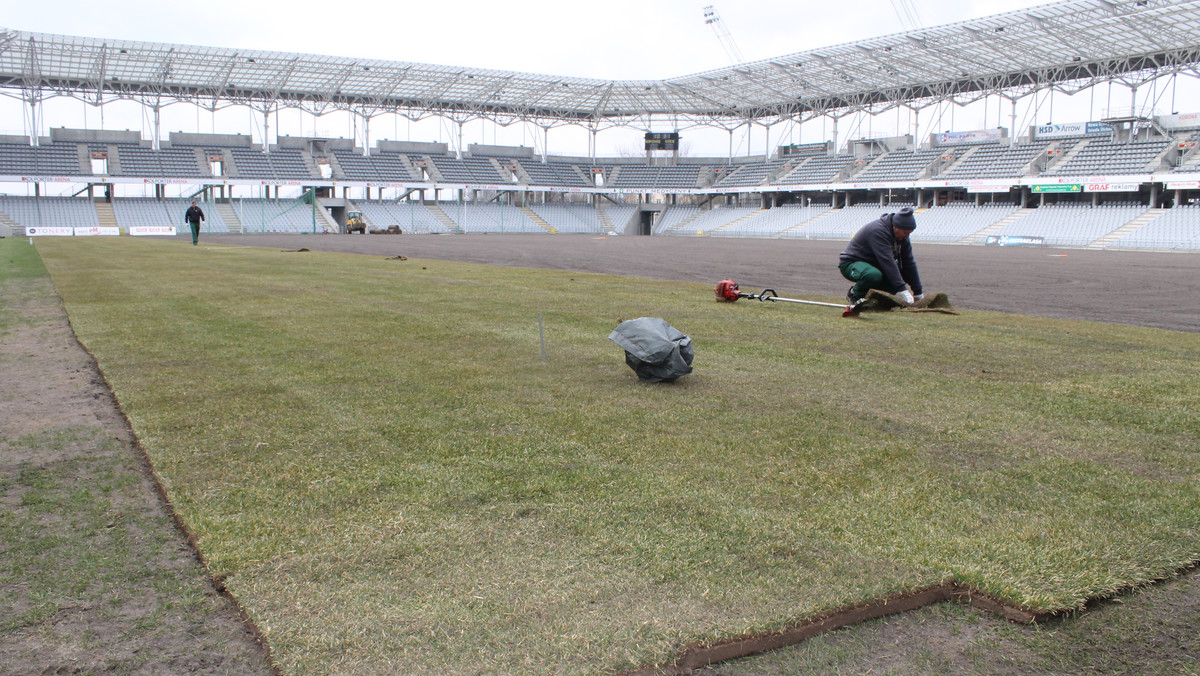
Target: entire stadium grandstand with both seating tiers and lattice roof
(1125, 178)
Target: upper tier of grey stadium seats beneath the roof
(1069, 158)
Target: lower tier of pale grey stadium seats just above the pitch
(1059, 225)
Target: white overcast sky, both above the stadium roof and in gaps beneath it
(608, 40)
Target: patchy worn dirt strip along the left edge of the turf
(95, 578)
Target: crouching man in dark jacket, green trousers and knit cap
(880, 256)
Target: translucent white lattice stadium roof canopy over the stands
(1065, 45)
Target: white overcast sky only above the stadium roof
(610, 39)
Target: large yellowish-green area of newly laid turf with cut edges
(389, 478)
